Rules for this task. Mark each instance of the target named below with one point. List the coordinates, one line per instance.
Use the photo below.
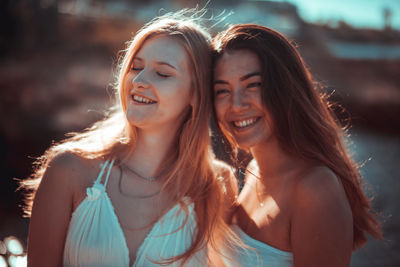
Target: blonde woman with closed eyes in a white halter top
(139, 187)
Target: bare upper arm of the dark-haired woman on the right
(322, 225)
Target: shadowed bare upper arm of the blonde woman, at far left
(51, 213)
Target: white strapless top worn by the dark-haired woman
(262, 255)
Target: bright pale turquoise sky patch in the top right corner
(359, 13)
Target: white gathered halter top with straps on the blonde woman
(95, 237)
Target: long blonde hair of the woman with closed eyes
(191, 165)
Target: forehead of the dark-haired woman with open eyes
(237, 63)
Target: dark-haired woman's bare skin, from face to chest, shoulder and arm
(288, 202)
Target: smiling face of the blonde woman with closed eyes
(158, 85)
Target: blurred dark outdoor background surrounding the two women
(58, 59)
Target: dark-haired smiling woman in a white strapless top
(302, 202)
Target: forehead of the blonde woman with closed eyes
(164, 49)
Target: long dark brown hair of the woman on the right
(303, 120)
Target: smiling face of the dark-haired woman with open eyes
(238, 101)
